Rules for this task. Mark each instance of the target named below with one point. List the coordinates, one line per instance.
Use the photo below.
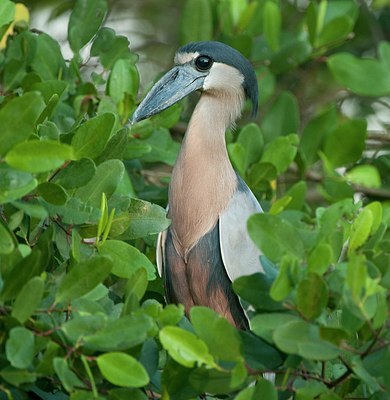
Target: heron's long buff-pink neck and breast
(203, 179)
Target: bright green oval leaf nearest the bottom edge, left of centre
(122, 369)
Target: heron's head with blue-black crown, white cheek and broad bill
(211, 67)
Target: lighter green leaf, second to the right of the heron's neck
(281, 152)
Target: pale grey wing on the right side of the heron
(239, 253)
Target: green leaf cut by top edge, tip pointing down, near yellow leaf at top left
(84, 21)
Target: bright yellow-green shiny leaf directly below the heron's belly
(185, 348)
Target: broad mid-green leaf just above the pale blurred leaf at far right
(345, 144)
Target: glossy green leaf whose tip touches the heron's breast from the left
(141, 219)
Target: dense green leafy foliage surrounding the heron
(82, 197)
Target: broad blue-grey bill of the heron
(176, 84)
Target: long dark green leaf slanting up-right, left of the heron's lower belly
(83, 277)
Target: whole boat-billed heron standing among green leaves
(207, 245)
